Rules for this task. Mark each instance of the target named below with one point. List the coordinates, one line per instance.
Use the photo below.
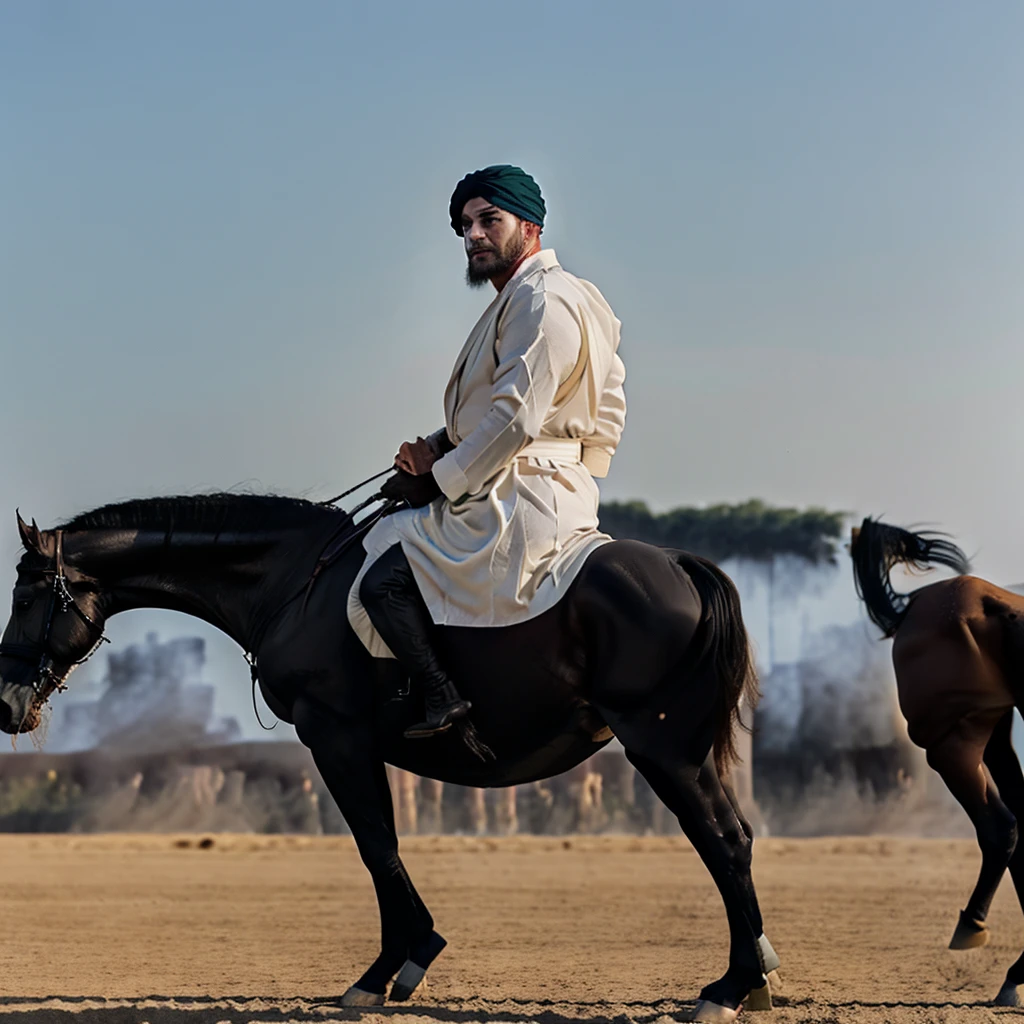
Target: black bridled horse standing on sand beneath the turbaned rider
(650, 643)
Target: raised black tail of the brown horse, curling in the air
(876, 548)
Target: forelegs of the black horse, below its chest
(357, 779)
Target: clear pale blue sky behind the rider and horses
(226, 259)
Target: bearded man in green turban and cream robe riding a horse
(503, 505)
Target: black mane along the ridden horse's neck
(202, 514)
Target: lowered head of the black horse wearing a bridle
(57, 622)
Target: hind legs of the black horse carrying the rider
(695, 794)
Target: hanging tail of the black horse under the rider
(728, 649)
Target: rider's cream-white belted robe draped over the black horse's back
(536, 409)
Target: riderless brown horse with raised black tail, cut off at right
(959, 655)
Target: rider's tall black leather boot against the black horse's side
(398, 611)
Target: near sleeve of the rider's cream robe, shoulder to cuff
(538, 345)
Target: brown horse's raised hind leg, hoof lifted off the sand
(958, 758)
